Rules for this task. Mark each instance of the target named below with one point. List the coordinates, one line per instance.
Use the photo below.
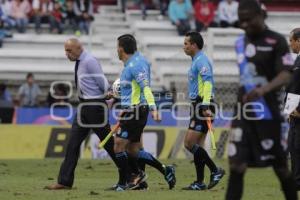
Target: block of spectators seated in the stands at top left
(60, 15)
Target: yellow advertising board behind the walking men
(42, 141)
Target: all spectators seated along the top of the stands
(76, 15)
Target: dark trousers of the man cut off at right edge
(294, 148)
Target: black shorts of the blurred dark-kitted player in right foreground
(257, 143)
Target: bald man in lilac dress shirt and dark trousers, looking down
(92, 111)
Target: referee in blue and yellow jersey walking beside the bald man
(137, 101)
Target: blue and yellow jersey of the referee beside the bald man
(134, 78)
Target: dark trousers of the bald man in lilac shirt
(88, 115)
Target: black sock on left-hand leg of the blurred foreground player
(235, 185)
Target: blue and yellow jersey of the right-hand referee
(200, 78)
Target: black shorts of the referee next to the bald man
(133, 123)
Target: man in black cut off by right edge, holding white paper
(294, 132)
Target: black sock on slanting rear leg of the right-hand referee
(200, 155)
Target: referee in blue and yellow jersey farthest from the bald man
(201, 92)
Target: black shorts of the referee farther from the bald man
(198, 122)
